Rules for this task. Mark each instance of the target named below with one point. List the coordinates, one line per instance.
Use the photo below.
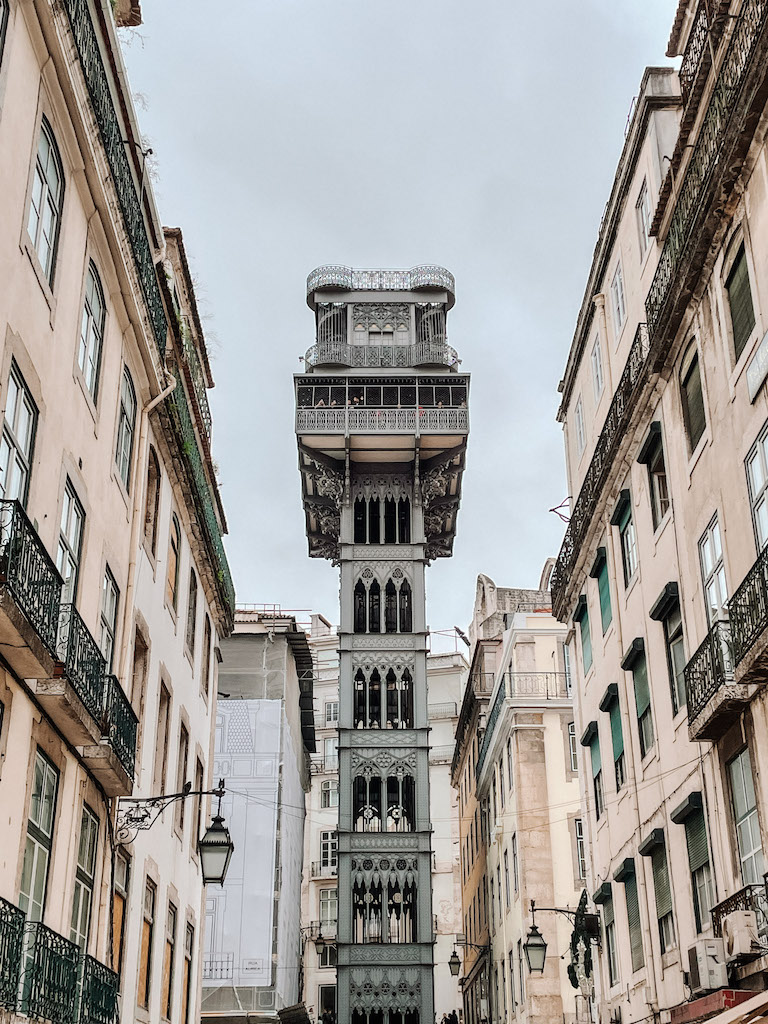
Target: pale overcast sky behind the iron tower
(480, 136)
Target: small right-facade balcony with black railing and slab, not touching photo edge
(715, 700)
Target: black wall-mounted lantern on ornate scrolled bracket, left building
(216, 848)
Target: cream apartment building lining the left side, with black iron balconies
(114, 584)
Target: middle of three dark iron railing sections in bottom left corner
(50, 975)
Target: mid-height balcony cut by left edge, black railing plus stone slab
(30, 596)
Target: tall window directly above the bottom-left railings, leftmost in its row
(37, 852)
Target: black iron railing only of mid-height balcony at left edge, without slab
(29, 573)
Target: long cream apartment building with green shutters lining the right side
(662, 571)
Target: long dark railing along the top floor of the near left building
(112, 134)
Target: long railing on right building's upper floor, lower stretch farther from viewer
(622, 405)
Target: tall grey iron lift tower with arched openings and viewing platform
(382, 422)
